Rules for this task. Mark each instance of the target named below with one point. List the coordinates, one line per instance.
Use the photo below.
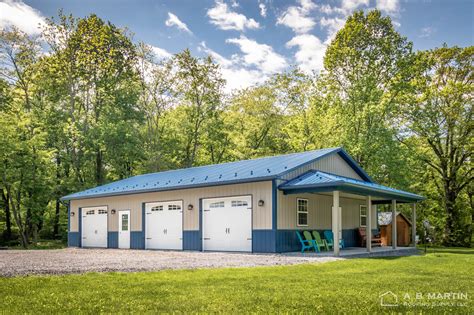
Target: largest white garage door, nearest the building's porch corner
(227, 224)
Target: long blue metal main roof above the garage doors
(227, 173)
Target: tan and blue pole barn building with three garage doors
(245, 206)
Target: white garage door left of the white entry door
(94, 227)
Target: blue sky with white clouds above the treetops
(253, 39)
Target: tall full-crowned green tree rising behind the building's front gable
(366, 67)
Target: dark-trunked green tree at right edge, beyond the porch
(439, 113)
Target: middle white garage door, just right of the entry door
(164, 225)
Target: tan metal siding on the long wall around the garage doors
(262, 216)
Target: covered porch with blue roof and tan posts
(318, 182)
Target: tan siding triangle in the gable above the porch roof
(333, 163)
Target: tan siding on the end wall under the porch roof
(319, 212)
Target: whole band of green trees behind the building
(98, 107)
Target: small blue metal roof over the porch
(317, 181)
